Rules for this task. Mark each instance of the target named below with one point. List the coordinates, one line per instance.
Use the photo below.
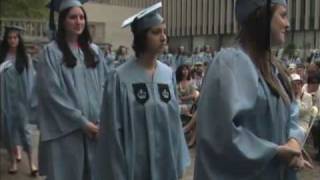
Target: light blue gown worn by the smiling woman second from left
(68, 98)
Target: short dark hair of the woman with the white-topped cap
(139, 42)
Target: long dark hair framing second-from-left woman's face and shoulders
(84, 41)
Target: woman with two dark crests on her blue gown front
(141, 136)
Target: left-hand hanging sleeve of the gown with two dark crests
(111, 158)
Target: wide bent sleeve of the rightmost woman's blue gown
(229, 93)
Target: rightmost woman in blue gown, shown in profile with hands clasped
(247, 116)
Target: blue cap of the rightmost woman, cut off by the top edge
(245, 7)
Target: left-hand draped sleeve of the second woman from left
(60, 115)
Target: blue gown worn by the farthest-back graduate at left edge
(16, 93)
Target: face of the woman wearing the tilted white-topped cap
(157, 39)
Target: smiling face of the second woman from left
(75, 21)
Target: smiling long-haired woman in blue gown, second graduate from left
(70, 81)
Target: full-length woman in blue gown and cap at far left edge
(17, 77)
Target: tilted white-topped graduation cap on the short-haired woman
(144, 19)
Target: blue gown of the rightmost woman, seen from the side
(241, 123)
